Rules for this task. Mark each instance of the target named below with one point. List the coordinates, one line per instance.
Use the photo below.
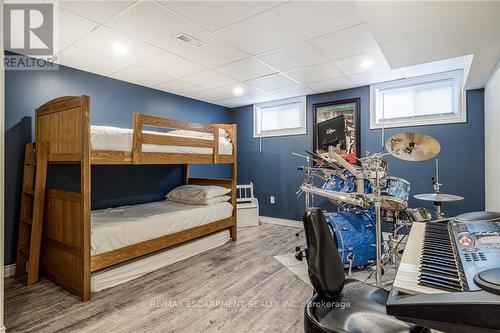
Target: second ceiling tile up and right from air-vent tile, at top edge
(314, 18)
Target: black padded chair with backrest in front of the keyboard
(340, 305)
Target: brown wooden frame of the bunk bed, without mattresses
(64, 125)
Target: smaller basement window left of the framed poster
(280, 118)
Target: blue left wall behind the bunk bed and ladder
(112, 103)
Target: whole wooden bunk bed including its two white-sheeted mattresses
(78, 242)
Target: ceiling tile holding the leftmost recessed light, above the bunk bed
(102, 40)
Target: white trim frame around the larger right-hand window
(462, 116)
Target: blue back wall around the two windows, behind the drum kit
(274, 172)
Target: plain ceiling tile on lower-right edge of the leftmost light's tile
(171, 65)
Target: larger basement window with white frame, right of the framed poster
(424, 100)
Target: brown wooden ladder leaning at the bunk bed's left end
(31, 217)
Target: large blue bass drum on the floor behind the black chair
(354, 233)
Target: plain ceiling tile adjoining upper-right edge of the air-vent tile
(261, 33)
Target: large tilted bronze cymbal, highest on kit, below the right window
(412, 146)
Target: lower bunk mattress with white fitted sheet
(114, 228)
